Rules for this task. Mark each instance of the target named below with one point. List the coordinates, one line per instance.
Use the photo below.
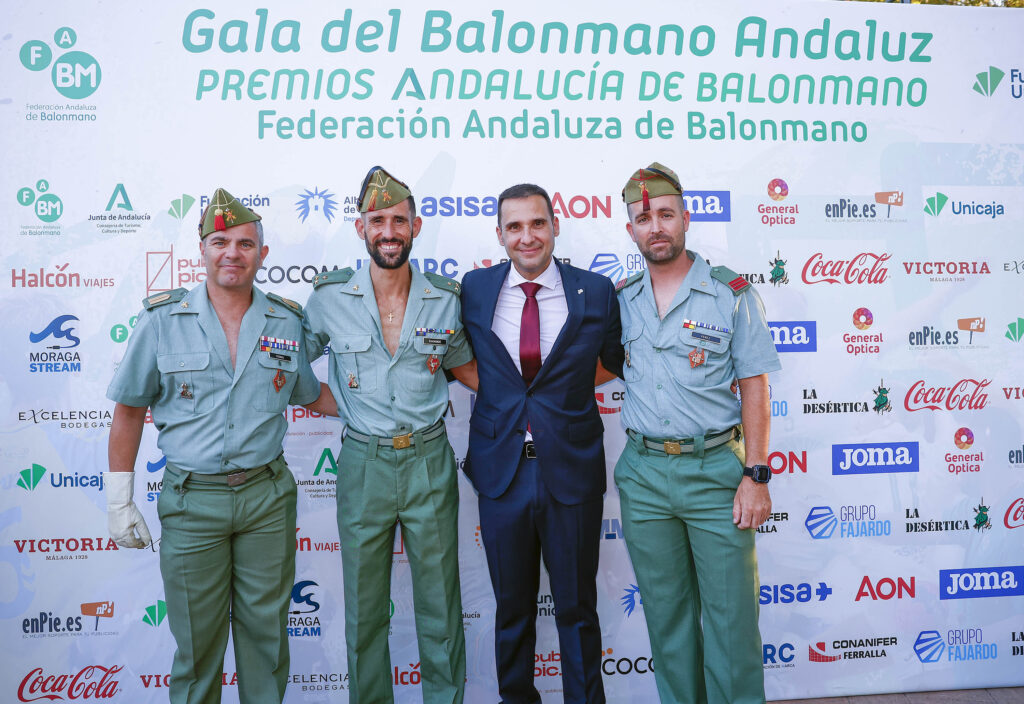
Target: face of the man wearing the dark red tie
(528, 233)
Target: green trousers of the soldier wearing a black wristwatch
(692, 562)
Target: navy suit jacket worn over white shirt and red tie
(559, 405)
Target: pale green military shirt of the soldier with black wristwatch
(679, 369)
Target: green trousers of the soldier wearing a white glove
(229, 553)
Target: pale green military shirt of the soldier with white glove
(212, 418)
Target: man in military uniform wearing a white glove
(218, 366)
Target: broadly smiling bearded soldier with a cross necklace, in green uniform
(393, 332)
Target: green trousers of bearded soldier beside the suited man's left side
(378, 487)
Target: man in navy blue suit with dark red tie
(536, 442)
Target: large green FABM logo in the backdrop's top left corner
(76, 75)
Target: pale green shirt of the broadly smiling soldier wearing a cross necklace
(379, 394)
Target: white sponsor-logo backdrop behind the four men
(862, 165)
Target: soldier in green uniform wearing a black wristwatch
(690, 505)
